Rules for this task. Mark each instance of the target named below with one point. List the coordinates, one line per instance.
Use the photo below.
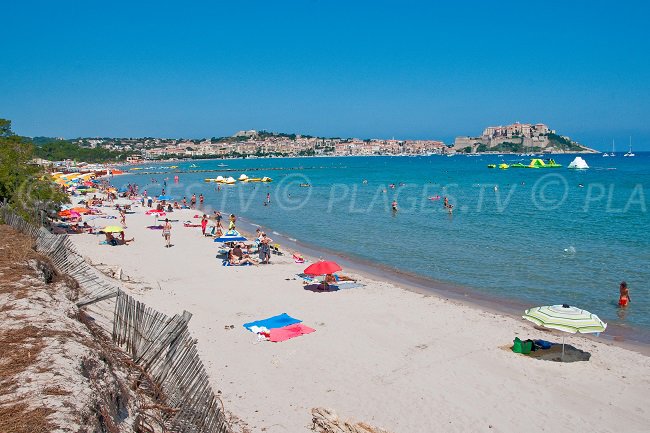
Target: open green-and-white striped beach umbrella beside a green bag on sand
(565, 318)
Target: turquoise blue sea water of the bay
(539, 238)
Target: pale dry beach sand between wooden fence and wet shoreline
(393, 358)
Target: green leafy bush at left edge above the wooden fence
(24, 186)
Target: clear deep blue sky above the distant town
(367, 69)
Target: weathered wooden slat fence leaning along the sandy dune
(160, 344)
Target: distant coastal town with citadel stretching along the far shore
(514, 138)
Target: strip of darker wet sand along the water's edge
(467, 296)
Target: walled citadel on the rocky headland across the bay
(519, 138)
